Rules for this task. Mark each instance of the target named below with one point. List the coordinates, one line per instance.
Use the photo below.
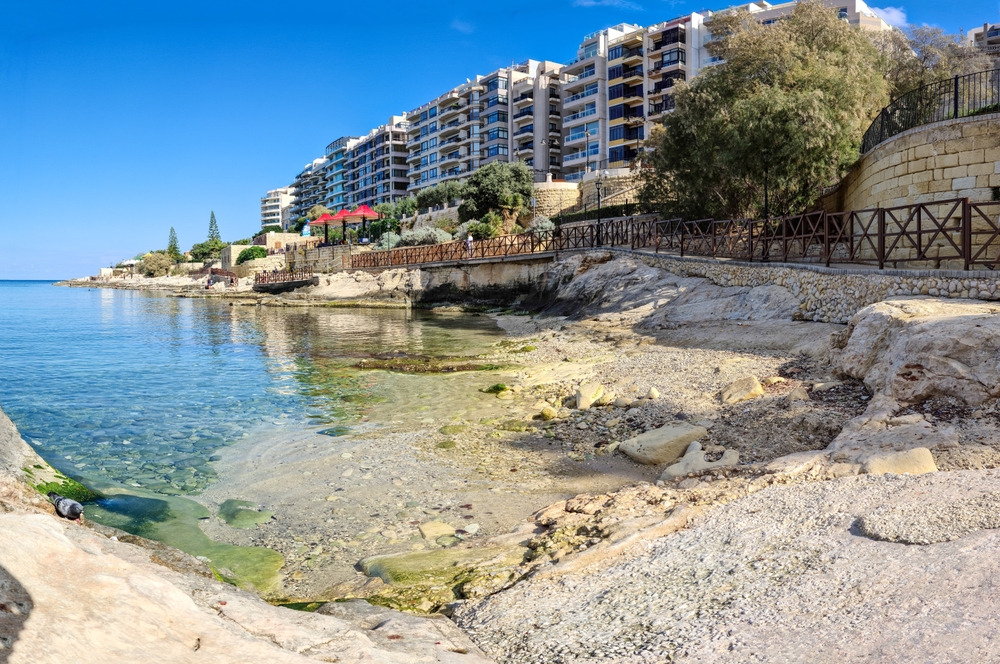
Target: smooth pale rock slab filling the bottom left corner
(70, 593)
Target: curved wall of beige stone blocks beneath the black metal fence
(951, 159)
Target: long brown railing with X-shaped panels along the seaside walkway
(951, 233)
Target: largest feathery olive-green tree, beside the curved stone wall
(789, 106)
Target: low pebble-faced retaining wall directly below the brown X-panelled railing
(831, 295)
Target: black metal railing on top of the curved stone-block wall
(950, 99)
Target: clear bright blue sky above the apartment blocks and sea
(120, 119)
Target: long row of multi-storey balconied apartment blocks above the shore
(571, 121)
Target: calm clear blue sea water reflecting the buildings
(142, 390)
